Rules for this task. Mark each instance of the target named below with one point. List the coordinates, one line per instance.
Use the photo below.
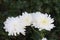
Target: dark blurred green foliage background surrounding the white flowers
(14, 8)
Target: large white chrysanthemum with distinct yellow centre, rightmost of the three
(42, 21)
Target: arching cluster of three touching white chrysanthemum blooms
(17, 25)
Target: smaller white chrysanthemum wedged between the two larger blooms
(26, 19)
